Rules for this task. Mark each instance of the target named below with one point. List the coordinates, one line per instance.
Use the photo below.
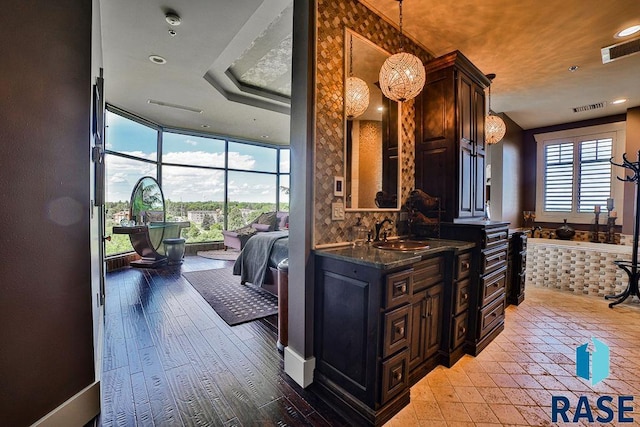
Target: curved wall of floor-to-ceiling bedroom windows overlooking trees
(214, 183)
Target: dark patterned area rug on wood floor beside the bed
(234, 302)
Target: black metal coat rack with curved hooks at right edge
(630, 267)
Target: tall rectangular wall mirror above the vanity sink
(372, 157)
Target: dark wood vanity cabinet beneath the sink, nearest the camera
(374, 329)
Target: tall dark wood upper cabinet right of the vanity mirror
(450, 143)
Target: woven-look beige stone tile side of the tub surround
(576, 266)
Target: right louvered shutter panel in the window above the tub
(595, 174)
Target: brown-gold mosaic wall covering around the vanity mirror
(333, 18)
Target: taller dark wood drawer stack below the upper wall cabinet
(487, 278)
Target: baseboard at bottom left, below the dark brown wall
(77, 411)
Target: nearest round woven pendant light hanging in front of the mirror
(402, 75)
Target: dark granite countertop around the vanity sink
(387, 259)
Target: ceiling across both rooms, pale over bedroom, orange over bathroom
(529, 45)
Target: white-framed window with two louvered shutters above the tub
(575, 174)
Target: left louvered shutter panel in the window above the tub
(558, 177)
